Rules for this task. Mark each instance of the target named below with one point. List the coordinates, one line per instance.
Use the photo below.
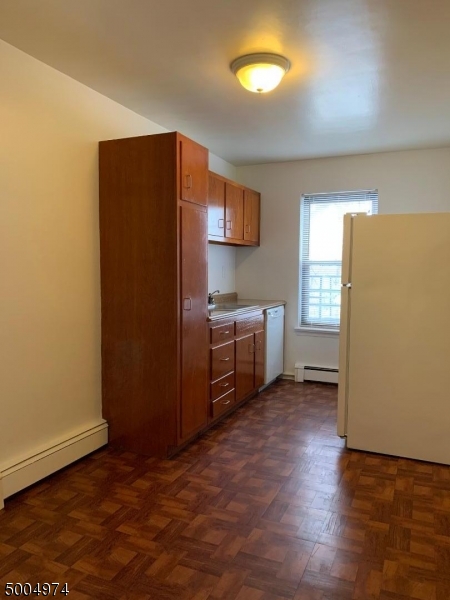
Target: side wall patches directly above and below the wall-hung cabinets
(221, 259)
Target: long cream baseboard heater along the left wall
(30, 470)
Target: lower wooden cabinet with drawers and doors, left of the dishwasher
(237, 365)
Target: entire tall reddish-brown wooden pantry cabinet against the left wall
(153, 241)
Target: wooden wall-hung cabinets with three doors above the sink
(233, 213)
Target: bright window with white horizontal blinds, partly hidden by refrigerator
(321, 236)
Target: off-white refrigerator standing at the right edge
(394, 347)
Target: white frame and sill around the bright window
(327, 329)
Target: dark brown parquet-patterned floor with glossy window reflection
(267, 505)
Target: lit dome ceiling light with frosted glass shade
(260, 73)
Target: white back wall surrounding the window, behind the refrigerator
(413, 181)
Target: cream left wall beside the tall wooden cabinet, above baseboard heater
(49, 252)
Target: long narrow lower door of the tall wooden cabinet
(194, 330)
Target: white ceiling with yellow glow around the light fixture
(366, 75)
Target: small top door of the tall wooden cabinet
(193, 172)
